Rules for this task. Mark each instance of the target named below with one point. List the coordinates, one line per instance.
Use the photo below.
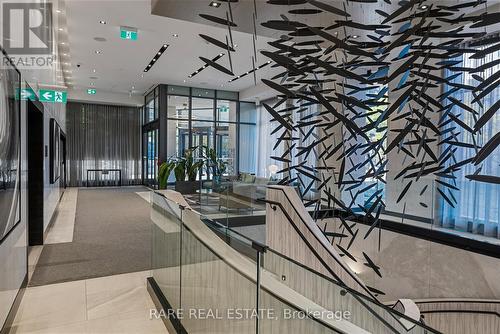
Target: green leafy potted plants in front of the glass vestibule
(185, 170)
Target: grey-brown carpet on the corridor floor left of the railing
(112, 236)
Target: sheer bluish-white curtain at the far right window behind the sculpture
(477, 204)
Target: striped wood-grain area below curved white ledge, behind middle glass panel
(211, 284)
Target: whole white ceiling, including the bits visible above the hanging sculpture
(119, 67)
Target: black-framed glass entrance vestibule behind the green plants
(194, 117)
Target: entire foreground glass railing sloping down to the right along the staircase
(197, 274)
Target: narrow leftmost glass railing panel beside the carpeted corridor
(165, 254)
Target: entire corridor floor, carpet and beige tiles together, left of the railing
(90, 276)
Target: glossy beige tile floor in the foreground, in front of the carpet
(112, 304)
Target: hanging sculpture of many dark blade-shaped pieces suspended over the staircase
(349, 78)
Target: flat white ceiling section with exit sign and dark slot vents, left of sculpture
(120, 65)
